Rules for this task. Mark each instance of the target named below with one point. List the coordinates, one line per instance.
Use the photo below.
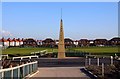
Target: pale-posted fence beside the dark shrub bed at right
(108, 61)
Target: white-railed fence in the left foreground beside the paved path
(19, 72)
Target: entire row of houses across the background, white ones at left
(54, 43)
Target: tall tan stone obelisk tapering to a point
(61, 46)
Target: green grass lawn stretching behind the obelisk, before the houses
(27, 51)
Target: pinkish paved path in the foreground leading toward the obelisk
(60, 72)
